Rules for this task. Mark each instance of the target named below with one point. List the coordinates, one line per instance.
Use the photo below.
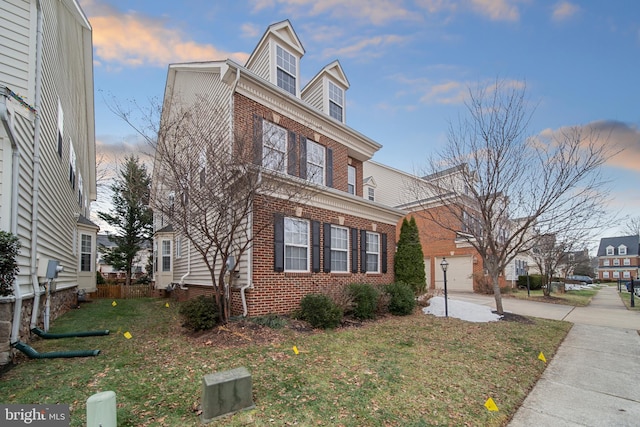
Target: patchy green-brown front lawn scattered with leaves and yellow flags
(398, 371)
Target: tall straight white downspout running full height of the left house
(36, 171)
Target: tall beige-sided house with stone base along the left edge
(47, 153)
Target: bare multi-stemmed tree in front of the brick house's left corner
(210, 180)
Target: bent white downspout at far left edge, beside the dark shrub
(15, 174)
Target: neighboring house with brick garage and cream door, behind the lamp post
(392, 187)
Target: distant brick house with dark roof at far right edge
(619, 258)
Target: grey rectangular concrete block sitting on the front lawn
(225, 393)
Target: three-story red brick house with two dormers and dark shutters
(338, 236)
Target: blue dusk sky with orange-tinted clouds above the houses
(409, 63)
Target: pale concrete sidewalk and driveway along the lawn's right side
(594, 378)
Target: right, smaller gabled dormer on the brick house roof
(326, 91)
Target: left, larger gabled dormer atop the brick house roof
(277, 57)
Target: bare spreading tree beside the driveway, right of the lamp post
(509, 188)
